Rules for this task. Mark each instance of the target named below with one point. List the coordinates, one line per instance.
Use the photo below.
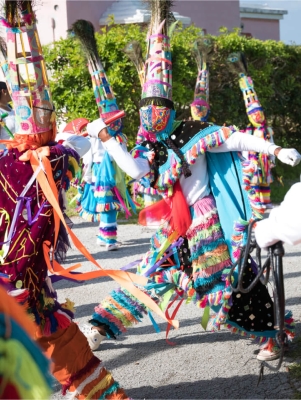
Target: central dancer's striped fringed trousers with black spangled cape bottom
(199, 269)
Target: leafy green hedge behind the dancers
(273, 66)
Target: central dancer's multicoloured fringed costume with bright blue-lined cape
(195, 265)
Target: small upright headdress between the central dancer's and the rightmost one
(200, 107)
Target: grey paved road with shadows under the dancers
(202, 365)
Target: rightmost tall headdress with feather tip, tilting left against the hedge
(254, 109)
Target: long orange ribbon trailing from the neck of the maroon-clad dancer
(125, 279)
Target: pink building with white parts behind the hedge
(55, 17)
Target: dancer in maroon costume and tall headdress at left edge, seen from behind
(32, 173)
